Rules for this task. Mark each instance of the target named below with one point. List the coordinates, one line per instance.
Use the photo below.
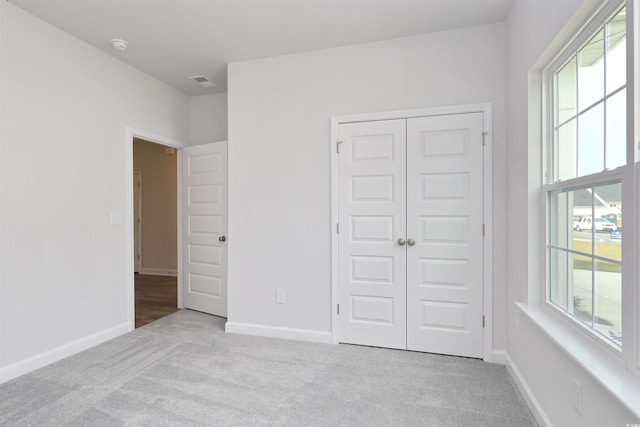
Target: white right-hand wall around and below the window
(545, 368)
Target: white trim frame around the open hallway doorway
(132, 133)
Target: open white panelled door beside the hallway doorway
(204, 225)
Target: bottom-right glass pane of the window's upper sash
(617, 130)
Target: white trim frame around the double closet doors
(486, 109)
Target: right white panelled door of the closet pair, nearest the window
(444, 218)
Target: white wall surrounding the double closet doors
(279, 158)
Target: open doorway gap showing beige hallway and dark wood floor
(155, 211)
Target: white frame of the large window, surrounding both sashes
(629, 355)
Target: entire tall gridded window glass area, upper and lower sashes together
(587, 148)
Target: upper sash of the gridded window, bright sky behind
(590, 105)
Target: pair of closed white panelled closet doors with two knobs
(410, 237)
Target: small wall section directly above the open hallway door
(208, 118)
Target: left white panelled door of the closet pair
(372, 266)
